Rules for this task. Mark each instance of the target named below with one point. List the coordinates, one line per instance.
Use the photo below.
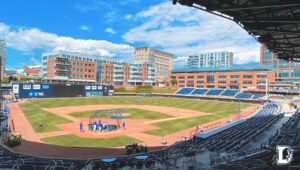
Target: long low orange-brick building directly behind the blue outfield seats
(233, 78)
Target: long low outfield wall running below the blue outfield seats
(218, 98)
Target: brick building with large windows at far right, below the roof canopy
(285, 71)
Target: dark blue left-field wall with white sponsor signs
(29, 90)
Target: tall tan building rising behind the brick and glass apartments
(162, 61)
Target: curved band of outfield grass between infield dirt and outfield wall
(197, 105)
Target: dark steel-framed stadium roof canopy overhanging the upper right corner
(274, 23)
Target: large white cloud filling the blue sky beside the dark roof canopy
(185, 31)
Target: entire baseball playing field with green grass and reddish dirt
(107, 124)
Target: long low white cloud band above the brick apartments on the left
(28, 39)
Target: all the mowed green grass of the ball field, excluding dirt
(35, 114)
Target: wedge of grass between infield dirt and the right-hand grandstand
(172, 126)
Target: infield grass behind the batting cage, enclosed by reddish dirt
(133, 114)
